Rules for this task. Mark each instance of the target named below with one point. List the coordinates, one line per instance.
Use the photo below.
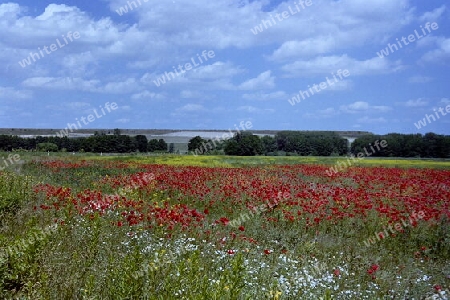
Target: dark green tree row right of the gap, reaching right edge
(318, 143)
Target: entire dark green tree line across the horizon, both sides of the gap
(315, 143)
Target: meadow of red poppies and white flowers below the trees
(218, 227)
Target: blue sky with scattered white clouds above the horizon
(372, 65)
